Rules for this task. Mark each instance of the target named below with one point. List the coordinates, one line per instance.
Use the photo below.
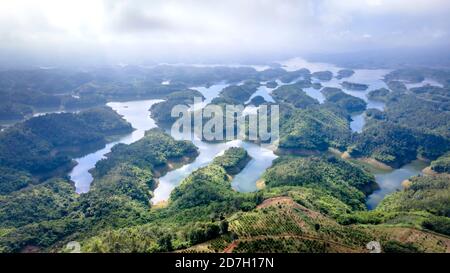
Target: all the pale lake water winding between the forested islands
(137, 113)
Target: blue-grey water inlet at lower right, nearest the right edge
(392, 180)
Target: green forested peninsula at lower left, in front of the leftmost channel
(47, 214)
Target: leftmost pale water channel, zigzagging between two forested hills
(136, 113)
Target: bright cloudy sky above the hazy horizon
(133, 31)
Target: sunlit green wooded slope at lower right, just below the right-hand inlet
(422, 204)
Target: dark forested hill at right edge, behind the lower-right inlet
(412, 126)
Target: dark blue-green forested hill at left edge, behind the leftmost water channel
(42, 145)
